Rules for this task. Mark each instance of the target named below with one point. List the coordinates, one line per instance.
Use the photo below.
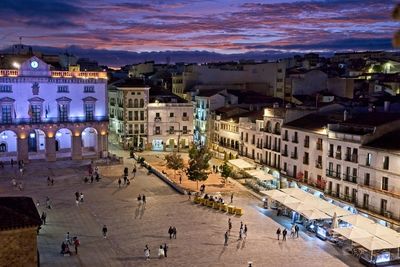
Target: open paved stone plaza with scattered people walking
(200, 230)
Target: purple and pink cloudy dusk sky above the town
(222, 26)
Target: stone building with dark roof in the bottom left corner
(19, 223)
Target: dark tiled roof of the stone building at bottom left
(18, 212)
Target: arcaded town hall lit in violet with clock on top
(49, 114)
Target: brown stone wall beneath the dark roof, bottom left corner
(19, 247)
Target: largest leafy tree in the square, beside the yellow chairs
(198, 164)
